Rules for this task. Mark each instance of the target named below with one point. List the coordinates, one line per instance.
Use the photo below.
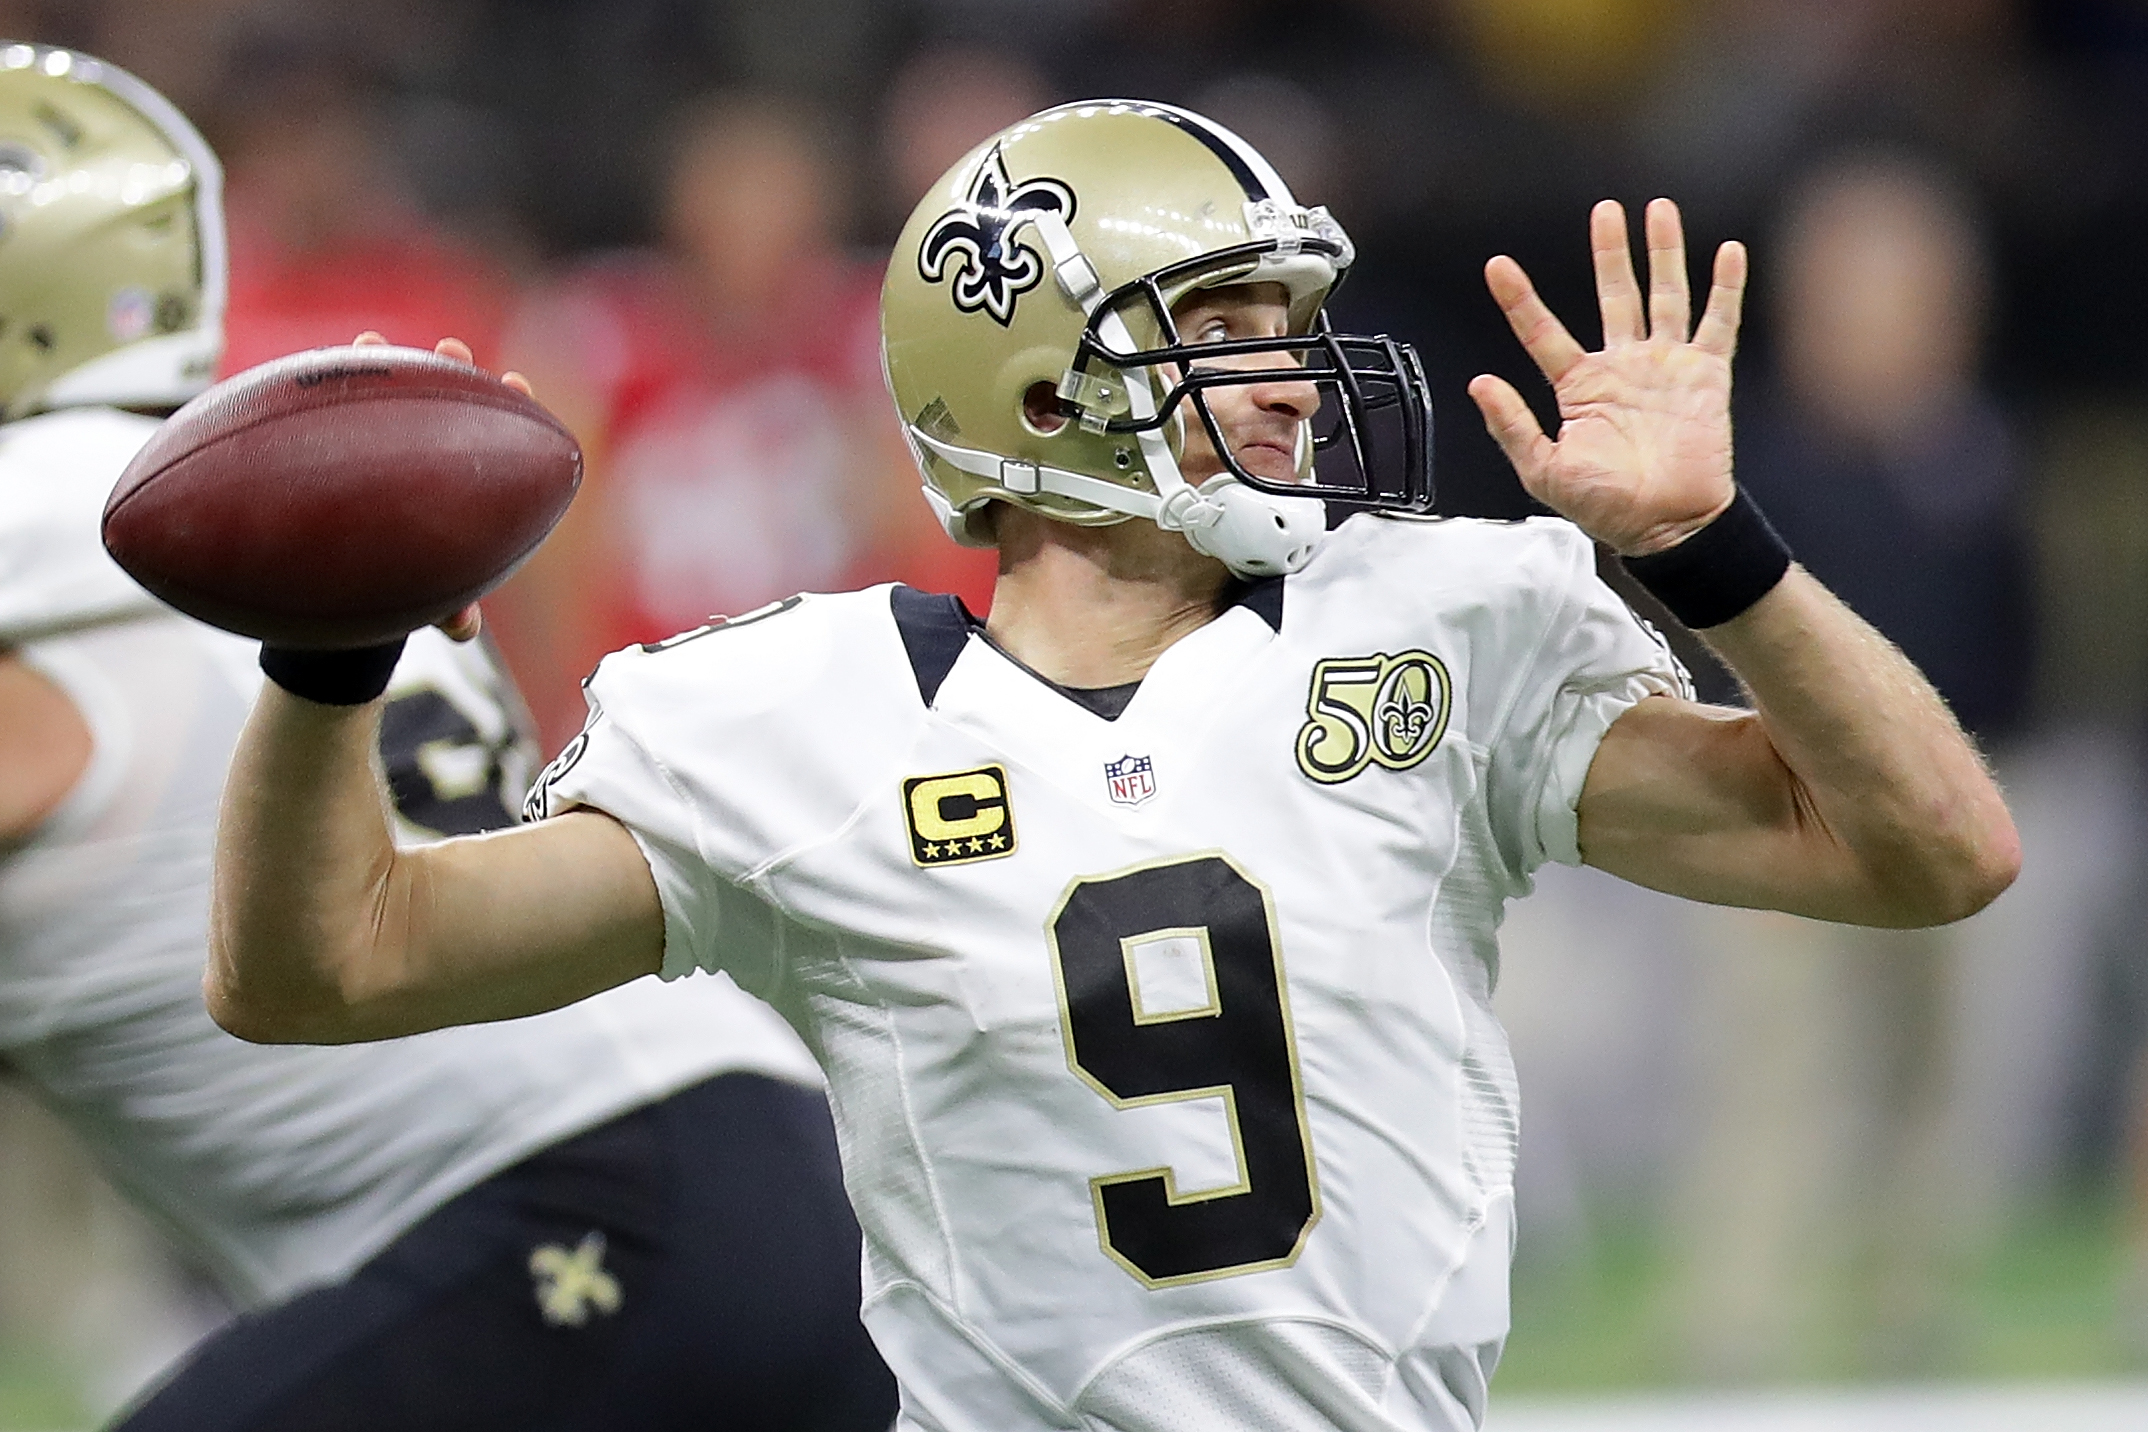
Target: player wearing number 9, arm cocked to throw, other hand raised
(1148, 931)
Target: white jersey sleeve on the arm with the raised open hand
(1586, 662)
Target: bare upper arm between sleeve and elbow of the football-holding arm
(519, 922)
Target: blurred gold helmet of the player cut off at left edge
(111, 239)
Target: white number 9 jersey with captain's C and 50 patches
(1161, 1047)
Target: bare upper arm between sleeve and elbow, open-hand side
(1696, 802)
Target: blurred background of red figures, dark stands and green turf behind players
(1760, 1152)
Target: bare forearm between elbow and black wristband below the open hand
(1883, 783)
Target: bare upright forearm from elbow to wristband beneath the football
(304, 875)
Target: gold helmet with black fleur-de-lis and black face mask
(1054, 254)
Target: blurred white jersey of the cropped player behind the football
(278, 1167)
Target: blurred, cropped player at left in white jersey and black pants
(622, 1214)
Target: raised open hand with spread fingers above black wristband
(1644, 450)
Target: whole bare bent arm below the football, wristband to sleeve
(325, 933)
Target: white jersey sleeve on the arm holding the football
(710, 924)
